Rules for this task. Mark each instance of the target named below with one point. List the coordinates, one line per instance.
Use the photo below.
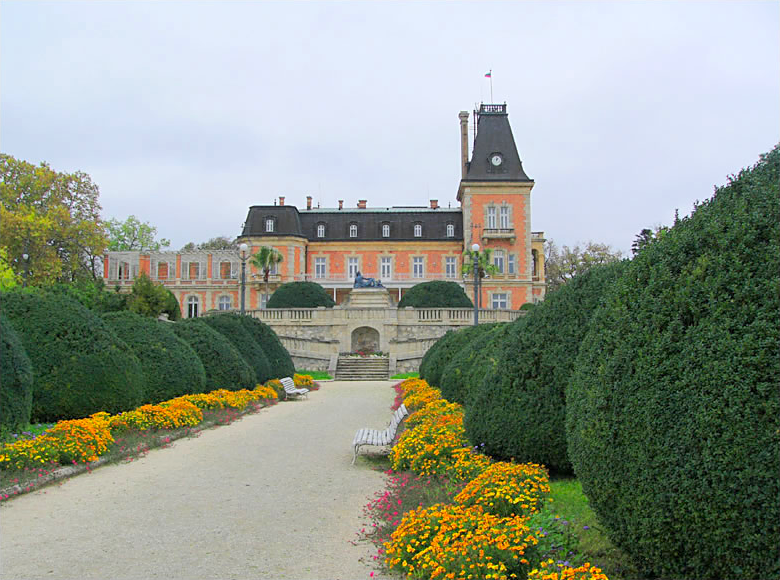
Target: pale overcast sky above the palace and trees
(187, 113)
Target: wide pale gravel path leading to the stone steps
(270, 496)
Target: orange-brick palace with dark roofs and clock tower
(401, 246)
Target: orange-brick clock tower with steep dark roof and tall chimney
(495, 197)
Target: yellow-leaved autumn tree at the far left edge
(51, 218)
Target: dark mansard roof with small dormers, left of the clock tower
(289, 221)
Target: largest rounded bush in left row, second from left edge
(80, 366)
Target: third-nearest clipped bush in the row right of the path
(466, 370)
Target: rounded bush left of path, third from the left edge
(170, 365)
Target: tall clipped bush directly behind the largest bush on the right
(518, 410)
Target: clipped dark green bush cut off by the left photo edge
(17, 381)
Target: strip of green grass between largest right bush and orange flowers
(570, 503)
